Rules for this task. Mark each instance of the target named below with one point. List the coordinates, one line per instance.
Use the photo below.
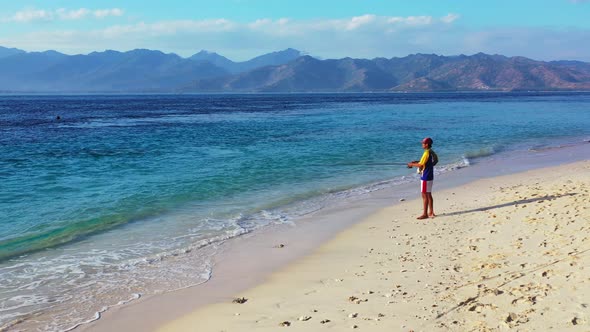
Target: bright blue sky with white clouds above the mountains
(241, 29)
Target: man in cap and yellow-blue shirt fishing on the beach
(426, 168)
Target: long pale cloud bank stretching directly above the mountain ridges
(364, 36)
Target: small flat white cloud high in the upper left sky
(35, 15)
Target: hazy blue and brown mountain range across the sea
(151, 71)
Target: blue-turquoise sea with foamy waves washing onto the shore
(104, 199)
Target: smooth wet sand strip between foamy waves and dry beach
(237, 259)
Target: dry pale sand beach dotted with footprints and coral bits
(509, 252)
